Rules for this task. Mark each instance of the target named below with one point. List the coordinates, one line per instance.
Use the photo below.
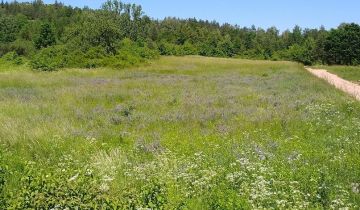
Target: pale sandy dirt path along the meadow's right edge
(344, 85)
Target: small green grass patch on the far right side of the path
(351, 73)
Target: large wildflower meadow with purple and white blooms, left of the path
(180, 133)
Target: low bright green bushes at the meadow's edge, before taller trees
(128, 53)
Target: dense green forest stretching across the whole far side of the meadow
(51, 36)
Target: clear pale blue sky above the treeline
(283, 14)
